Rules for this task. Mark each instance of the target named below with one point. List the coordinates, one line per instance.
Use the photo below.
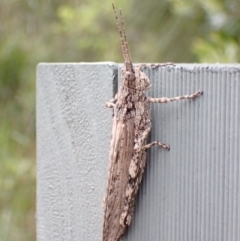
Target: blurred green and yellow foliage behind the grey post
(33, 31)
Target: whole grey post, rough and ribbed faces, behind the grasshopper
(189, 193)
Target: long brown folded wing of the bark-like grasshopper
(118, 176)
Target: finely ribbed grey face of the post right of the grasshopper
(192, 191)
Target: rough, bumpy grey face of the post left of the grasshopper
(73, 138)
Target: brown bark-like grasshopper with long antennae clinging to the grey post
(130, 128)
